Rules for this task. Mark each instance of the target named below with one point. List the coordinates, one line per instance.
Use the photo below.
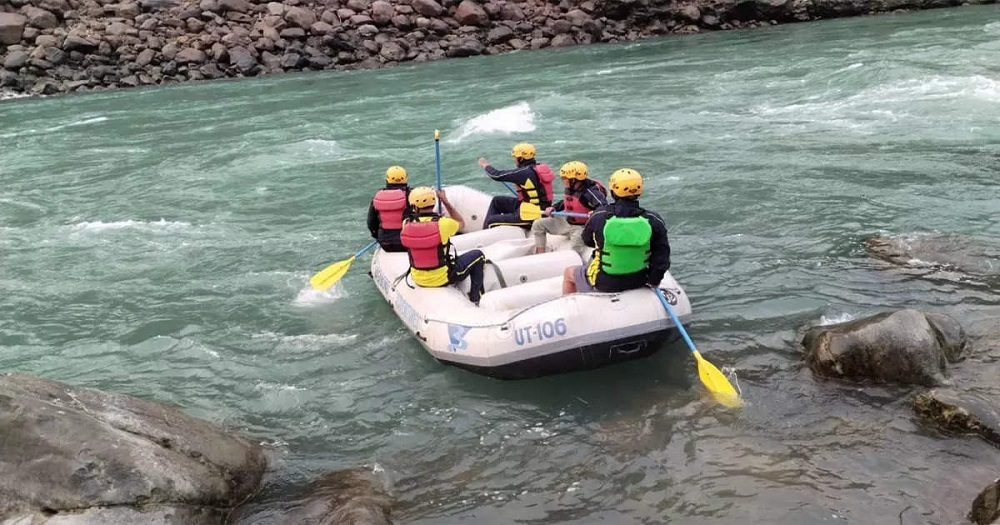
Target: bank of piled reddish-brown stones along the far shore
(58, 46)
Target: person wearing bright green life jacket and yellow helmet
(631, 249)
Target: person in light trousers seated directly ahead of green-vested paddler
(582, 195)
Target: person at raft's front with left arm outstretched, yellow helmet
(534, 188)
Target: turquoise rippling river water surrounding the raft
(158, 243)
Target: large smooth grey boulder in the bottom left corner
(78, 455)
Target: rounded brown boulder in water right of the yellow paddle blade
(905, 346)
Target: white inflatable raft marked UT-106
(524, 327)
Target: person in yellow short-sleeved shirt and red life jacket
(427, 238)
